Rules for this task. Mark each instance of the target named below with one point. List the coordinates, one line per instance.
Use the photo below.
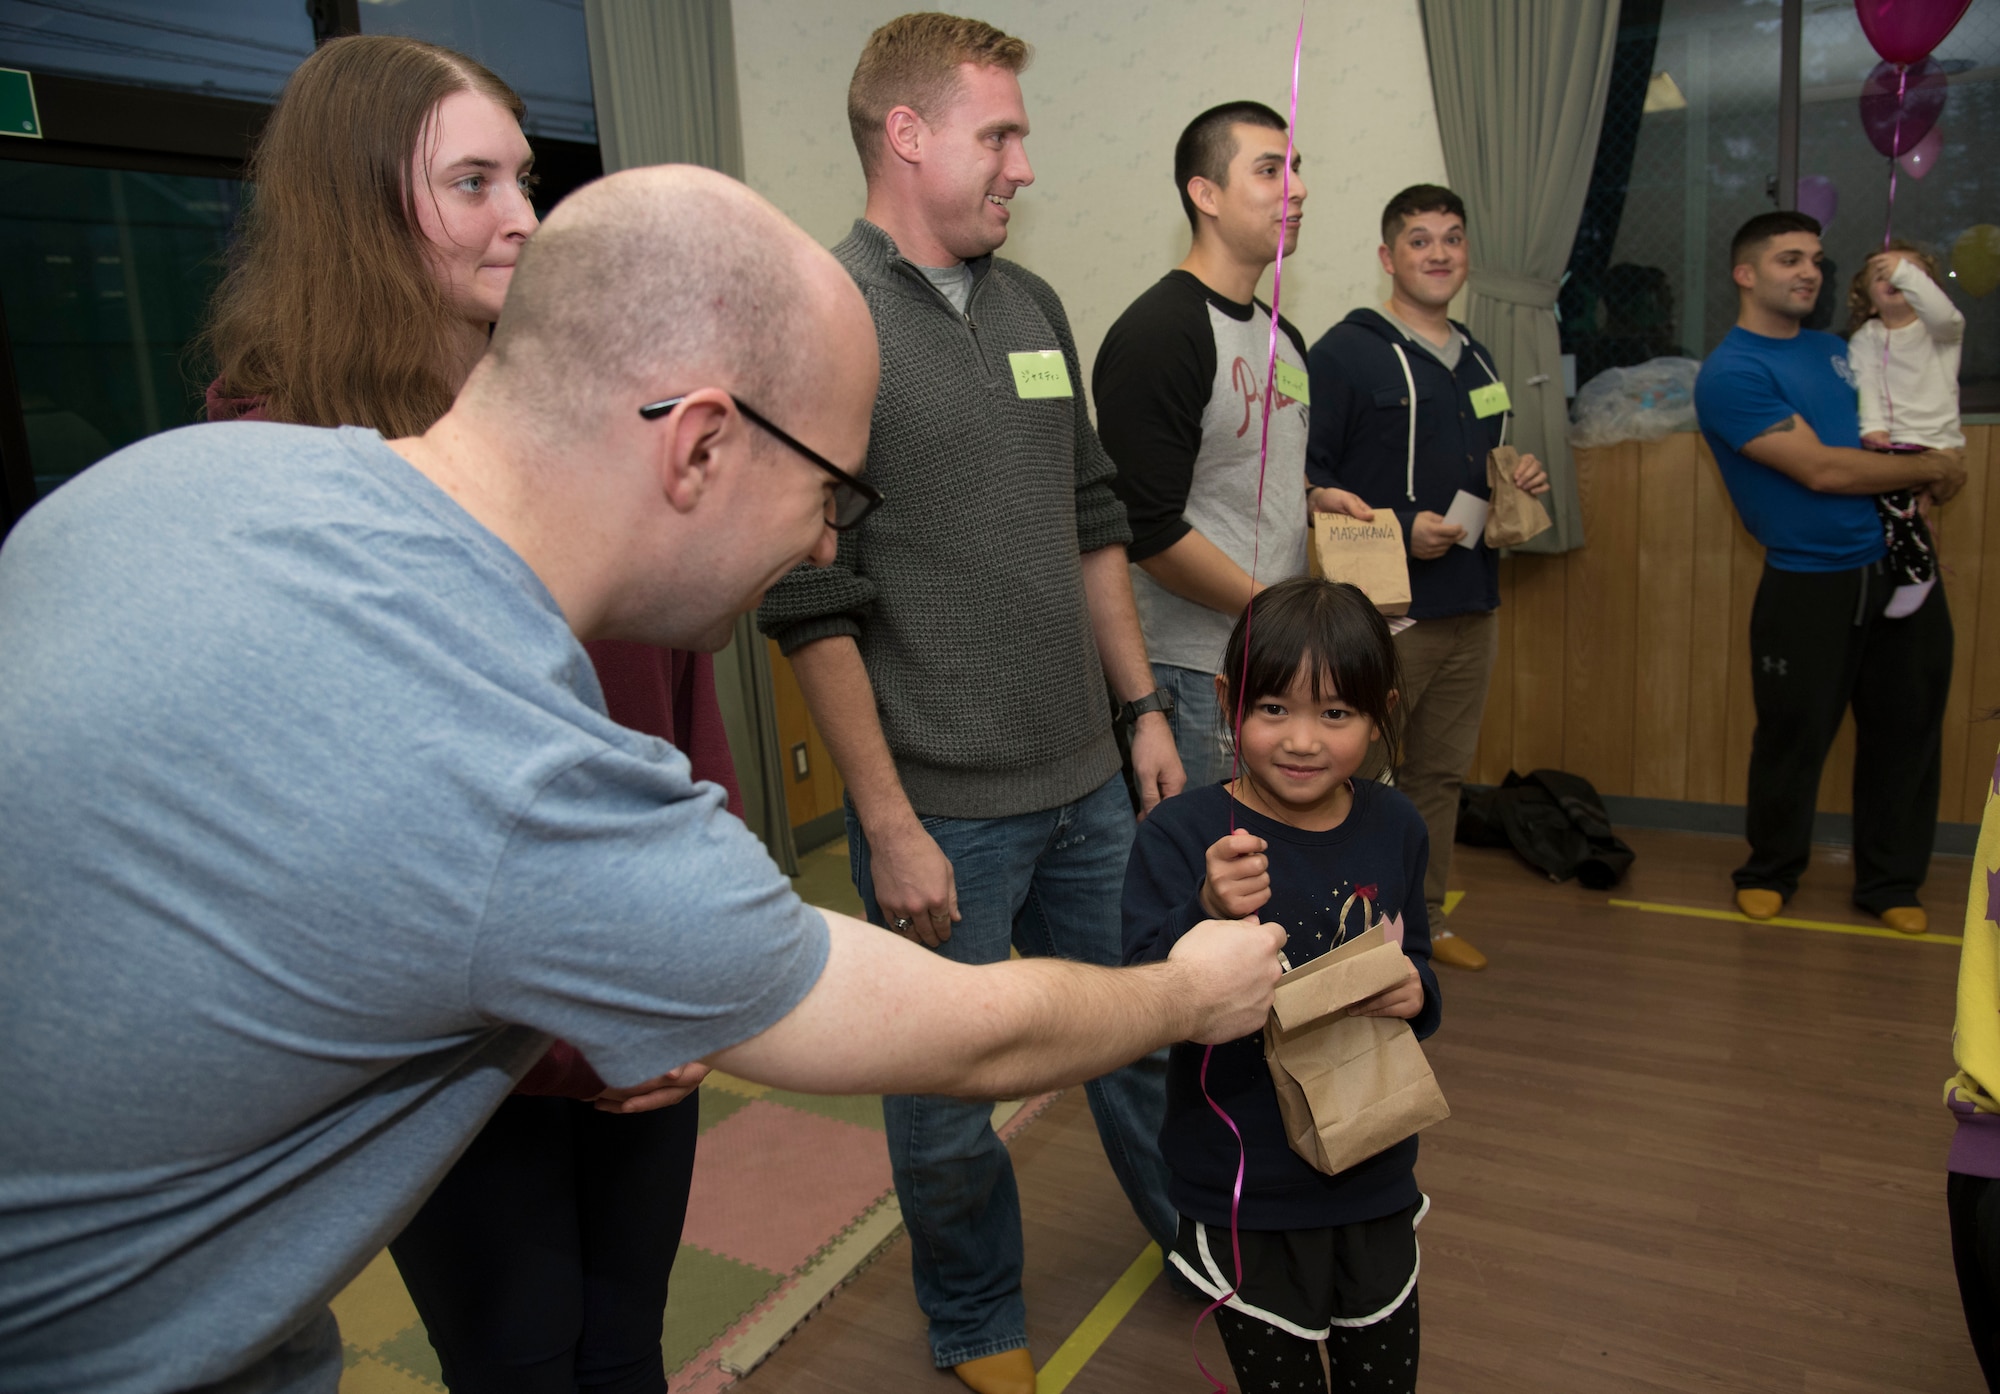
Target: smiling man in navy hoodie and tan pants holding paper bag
(1405, 409)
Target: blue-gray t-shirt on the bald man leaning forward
(315, 833)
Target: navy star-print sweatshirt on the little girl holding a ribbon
(1379, 845)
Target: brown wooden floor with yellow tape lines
(1685, 1155)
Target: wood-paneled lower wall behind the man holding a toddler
(1629, 661)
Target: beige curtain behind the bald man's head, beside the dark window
(663, 79)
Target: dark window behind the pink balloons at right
(1693, 147)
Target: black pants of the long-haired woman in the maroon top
(541, 1263)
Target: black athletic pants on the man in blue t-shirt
(1819, 641)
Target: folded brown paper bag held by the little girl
(1349, 1087)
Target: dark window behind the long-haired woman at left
(115, 225)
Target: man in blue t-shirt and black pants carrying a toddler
(1779, 411)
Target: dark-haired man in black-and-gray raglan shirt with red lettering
(1181, 395)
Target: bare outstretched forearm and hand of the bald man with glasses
(893, 1019)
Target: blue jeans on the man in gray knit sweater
(1051, 885)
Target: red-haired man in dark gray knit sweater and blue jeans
(957, 651)
